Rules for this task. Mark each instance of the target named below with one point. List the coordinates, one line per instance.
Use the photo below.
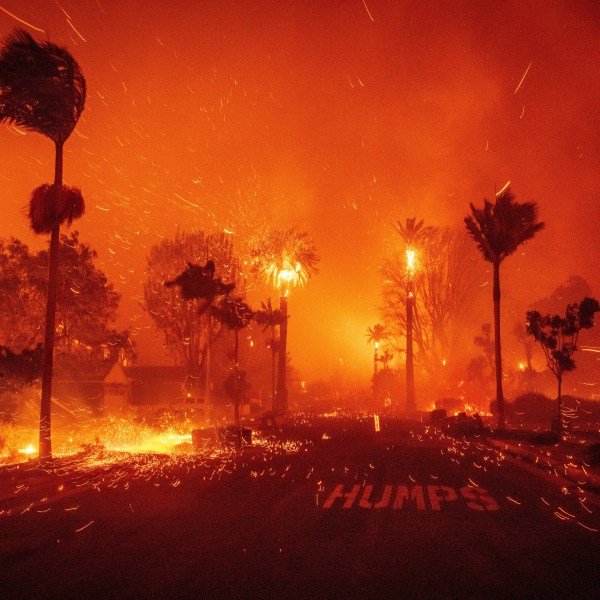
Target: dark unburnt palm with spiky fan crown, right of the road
(498, 230)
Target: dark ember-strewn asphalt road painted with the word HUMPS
(340, 511)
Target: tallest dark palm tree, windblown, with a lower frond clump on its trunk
(42, 89)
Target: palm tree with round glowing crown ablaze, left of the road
(284, 259)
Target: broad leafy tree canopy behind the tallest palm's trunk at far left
(86, 306)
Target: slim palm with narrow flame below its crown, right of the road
(413, 234)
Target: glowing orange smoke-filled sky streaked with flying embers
(337, 117)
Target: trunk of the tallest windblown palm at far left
(45, 442)
